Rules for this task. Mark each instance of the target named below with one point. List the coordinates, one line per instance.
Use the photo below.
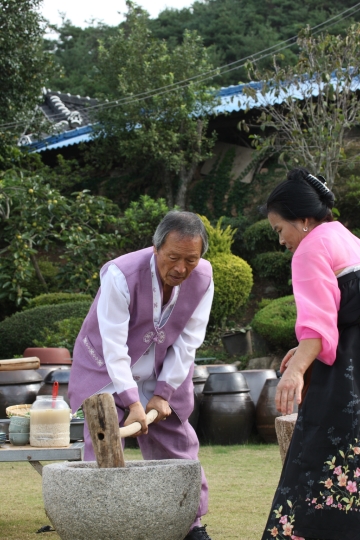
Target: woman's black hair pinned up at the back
(301, 196)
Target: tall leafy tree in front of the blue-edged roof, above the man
(166, 128)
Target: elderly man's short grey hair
(186, 224)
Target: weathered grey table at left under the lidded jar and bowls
(32, 454)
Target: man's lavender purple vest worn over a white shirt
(88, 372)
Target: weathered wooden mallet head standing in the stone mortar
(102, 420)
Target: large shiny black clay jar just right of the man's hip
(227, 410)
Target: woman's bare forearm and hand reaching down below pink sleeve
(293, 367)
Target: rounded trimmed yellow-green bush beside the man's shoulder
(233, 281)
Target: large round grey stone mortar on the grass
(146, 500)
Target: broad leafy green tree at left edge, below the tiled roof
(34, 218)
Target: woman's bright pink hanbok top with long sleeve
(328, 248)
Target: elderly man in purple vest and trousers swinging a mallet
(139, 339)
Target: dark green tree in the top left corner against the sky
(24, 66)
